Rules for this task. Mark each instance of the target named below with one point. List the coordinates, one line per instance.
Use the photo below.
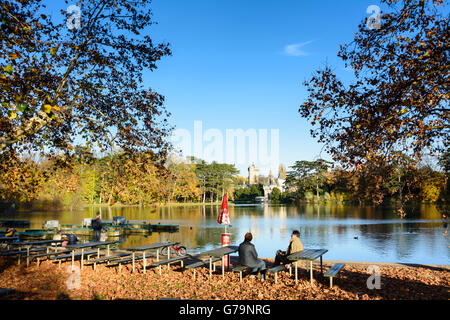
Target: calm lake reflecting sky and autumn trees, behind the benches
(351, 233)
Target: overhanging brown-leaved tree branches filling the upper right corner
(398, 100)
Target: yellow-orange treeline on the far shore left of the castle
(121, 178)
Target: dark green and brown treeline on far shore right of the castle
(402, 180)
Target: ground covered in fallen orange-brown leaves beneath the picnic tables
(50, 282)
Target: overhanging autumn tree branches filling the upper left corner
(60, 81)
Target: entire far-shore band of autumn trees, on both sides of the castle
(141, 179)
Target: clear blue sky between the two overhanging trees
(241, 64)
